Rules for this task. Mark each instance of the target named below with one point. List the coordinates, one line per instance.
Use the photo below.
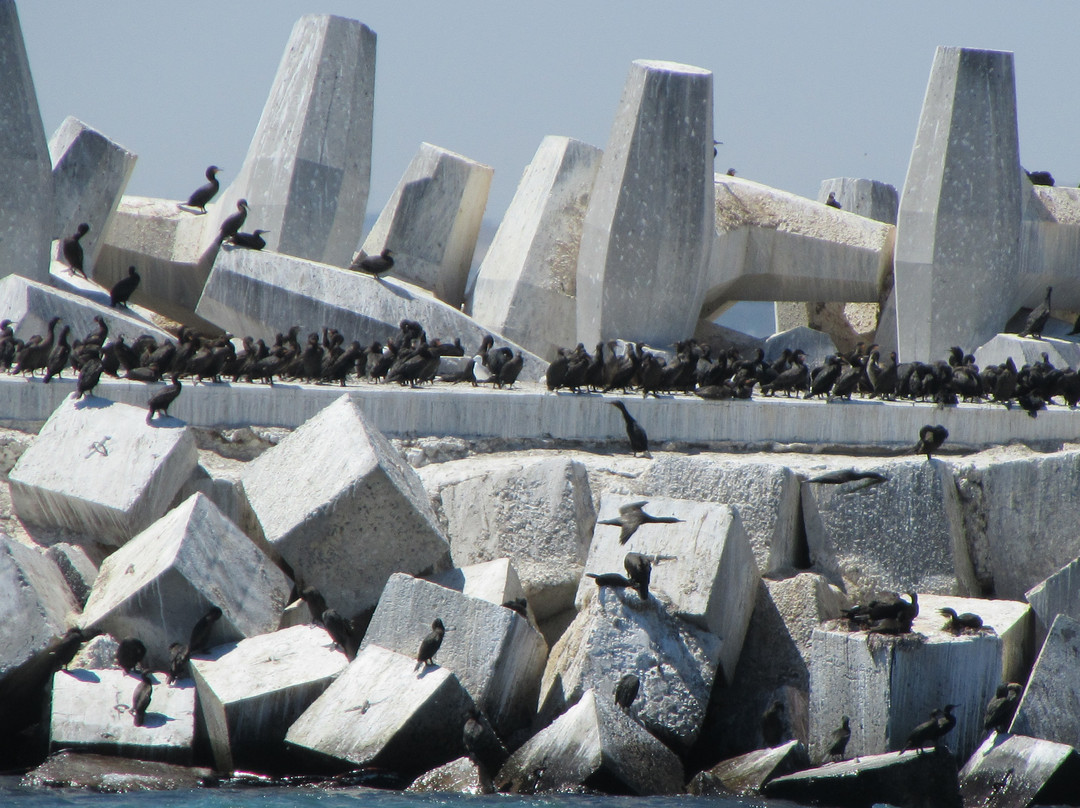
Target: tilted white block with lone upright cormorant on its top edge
(381, 712)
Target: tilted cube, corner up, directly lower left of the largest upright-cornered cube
(161, 583)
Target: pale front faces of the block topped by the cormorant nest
(888, 685)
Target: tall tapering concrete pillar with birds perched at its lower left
(308, 168)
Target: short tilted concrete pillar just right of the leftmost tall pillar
(90, 174)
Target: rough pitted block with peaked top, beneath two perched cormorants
(618, 634)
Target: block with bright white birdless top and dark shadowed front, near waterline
(251, 692)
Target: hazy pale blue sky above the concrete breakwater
(804, 91)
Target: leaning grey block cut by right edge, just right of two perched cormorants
(1054, 684)
